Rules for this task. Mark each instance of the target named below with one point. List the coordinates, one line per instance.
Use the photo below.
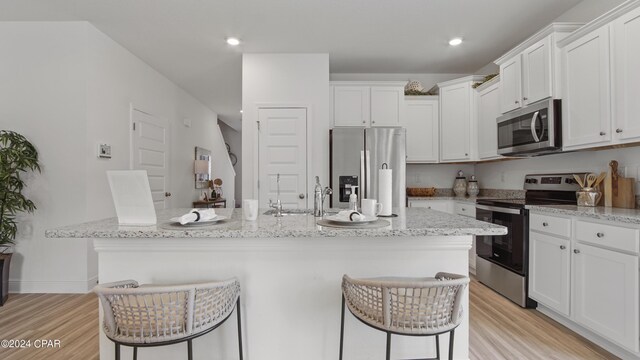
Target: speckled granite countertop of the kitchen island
(410, 222)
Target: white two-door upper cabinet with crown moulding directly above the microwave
(530, 71)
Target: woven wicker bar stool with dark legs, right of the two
(406, 306)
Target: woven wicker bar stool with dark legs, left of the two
(148, 315)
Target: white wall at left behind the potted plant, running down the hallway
(67, 87)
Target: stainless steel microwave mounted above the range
(531, 131)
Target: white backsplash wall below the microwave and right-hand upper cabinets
(510, 174)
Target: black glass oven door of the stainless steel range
(508, 251)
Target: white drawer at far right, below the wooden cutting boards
(611, 236)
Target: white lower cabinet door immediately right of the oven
(549, 265)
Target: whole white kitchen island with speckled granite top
(290, 270)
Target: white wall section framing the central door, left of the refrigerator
(281, 79)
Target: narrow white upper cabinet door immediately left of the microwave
(488, 105)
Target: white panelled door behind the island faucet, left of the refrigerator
(283, 150)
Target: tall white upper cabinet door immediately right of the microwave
(586, 105)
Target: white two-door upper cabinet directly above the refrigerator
(364, 104)
